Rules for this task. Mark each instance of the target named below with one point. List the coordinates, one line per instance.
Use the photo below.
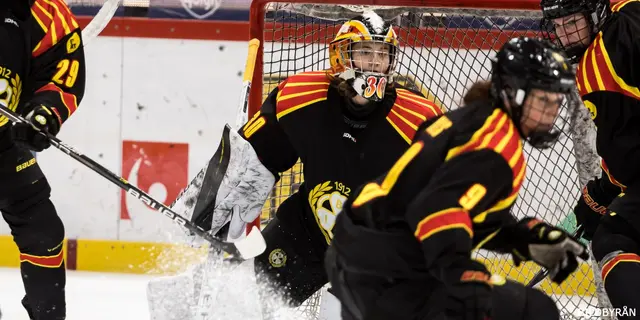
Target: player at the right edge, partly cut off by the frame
(604, 42)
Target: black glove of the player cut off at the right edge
(592, 205)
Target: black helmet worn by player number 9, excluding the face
(524, 64)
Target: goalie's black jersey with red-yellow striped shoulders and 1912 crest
(302, 119)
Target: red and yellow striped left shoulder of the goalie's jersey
(301, 90)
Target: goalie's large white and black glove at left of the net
(230, 191)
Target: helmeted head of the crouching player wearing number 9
(536, 81)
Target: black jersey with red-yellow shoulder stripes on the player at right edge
(608, 77)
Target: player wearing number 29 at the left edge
(42, 78)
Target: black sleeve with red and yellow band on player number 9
(442, 214)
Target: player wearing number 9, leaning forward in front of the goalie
(402, 246)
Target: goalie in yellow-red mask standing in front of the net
(347, 125)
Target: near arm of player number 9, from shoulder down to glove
(441, 216)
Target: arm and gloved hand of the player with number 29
(56, 81)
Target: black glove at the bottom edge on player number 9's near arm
(469, 293)
